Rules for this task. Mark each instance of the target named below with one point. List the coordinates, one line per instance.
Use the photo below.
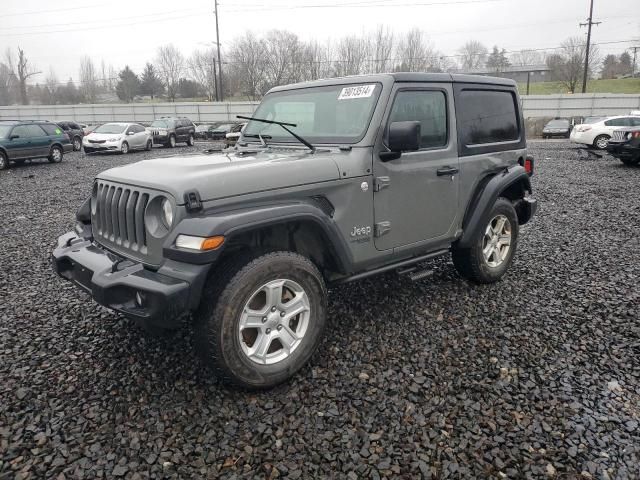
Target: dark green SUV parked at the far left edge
(21, 140)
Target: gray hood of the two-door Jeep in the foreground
(221, 175)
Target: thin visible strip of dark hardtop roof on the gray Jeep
(407, 77)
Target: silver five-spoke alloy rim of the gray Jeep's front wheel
(274, 321)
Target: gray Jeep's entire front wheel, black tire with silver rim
(260, 320)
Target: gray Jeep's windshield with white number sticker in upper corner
(332, 114)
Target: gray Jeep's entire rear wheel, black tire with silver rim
(492, 250)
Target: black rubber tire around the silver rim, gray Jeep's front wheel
(224, 296)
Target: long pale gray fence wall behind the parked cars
(534, 106)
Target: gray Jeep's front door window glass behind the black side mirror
(429, 107)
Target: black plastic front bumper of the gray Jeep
(159, 297)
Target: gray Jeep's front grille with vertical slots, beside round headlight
(119, 216)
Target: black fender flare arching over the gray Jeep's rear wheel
(478, 212)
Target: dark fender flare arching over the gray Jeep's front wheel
(236, 221)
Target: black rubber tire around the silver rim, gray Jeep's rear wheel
(470, 262)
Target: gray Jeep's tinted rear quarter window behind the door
(487, 116)
